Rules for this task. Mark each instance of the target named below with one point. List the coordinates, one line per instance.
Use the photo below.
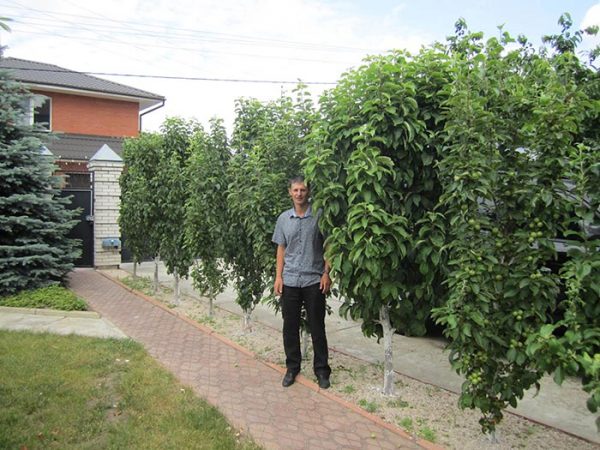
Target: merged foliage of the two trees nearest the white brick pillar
(154, 194)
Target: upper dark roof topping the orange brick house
(55, 76)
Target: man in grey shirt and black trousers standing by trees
(302, 278)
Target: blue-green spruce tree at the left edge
(34, 219)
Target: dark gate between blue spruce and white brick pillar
(84, 230)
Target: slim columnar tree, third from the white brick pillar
(206, 209)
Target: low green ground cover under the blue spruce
(50, 297)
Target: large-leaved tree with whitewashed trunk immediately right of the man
(372, 168)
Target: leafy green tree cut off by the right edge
(571, 346)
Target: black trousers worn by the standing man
(292, 299)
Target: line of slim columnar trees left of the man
(207, 205)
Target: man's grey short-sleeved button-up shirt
(303, 263)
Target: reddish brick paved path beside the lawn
(247, 391)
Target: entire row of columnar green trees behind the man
(445, 178)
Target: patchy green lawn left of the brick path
(87, 393)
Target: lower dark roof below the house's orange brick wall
(81, 146)
